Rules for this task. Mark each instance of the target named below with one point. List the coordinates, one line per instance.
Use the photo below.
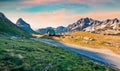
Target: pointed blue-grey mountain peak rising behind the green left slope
(23, 25)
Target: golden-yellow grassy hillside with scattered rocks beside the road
(92, 40)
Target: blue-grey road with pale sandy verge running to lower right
(101, 55)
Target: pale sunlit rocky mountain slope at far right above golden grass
(109, 26)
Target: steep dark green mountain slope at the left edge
(6, 26)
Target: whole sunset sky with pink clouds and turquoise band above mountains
(54, 13)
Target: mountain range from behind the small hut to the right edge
(109, 26)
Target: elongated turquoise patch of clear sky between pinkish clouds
(77, 8)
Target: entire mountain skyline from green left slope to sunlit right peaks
(109, 26)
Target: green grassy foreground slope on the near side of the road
(28, 55)
